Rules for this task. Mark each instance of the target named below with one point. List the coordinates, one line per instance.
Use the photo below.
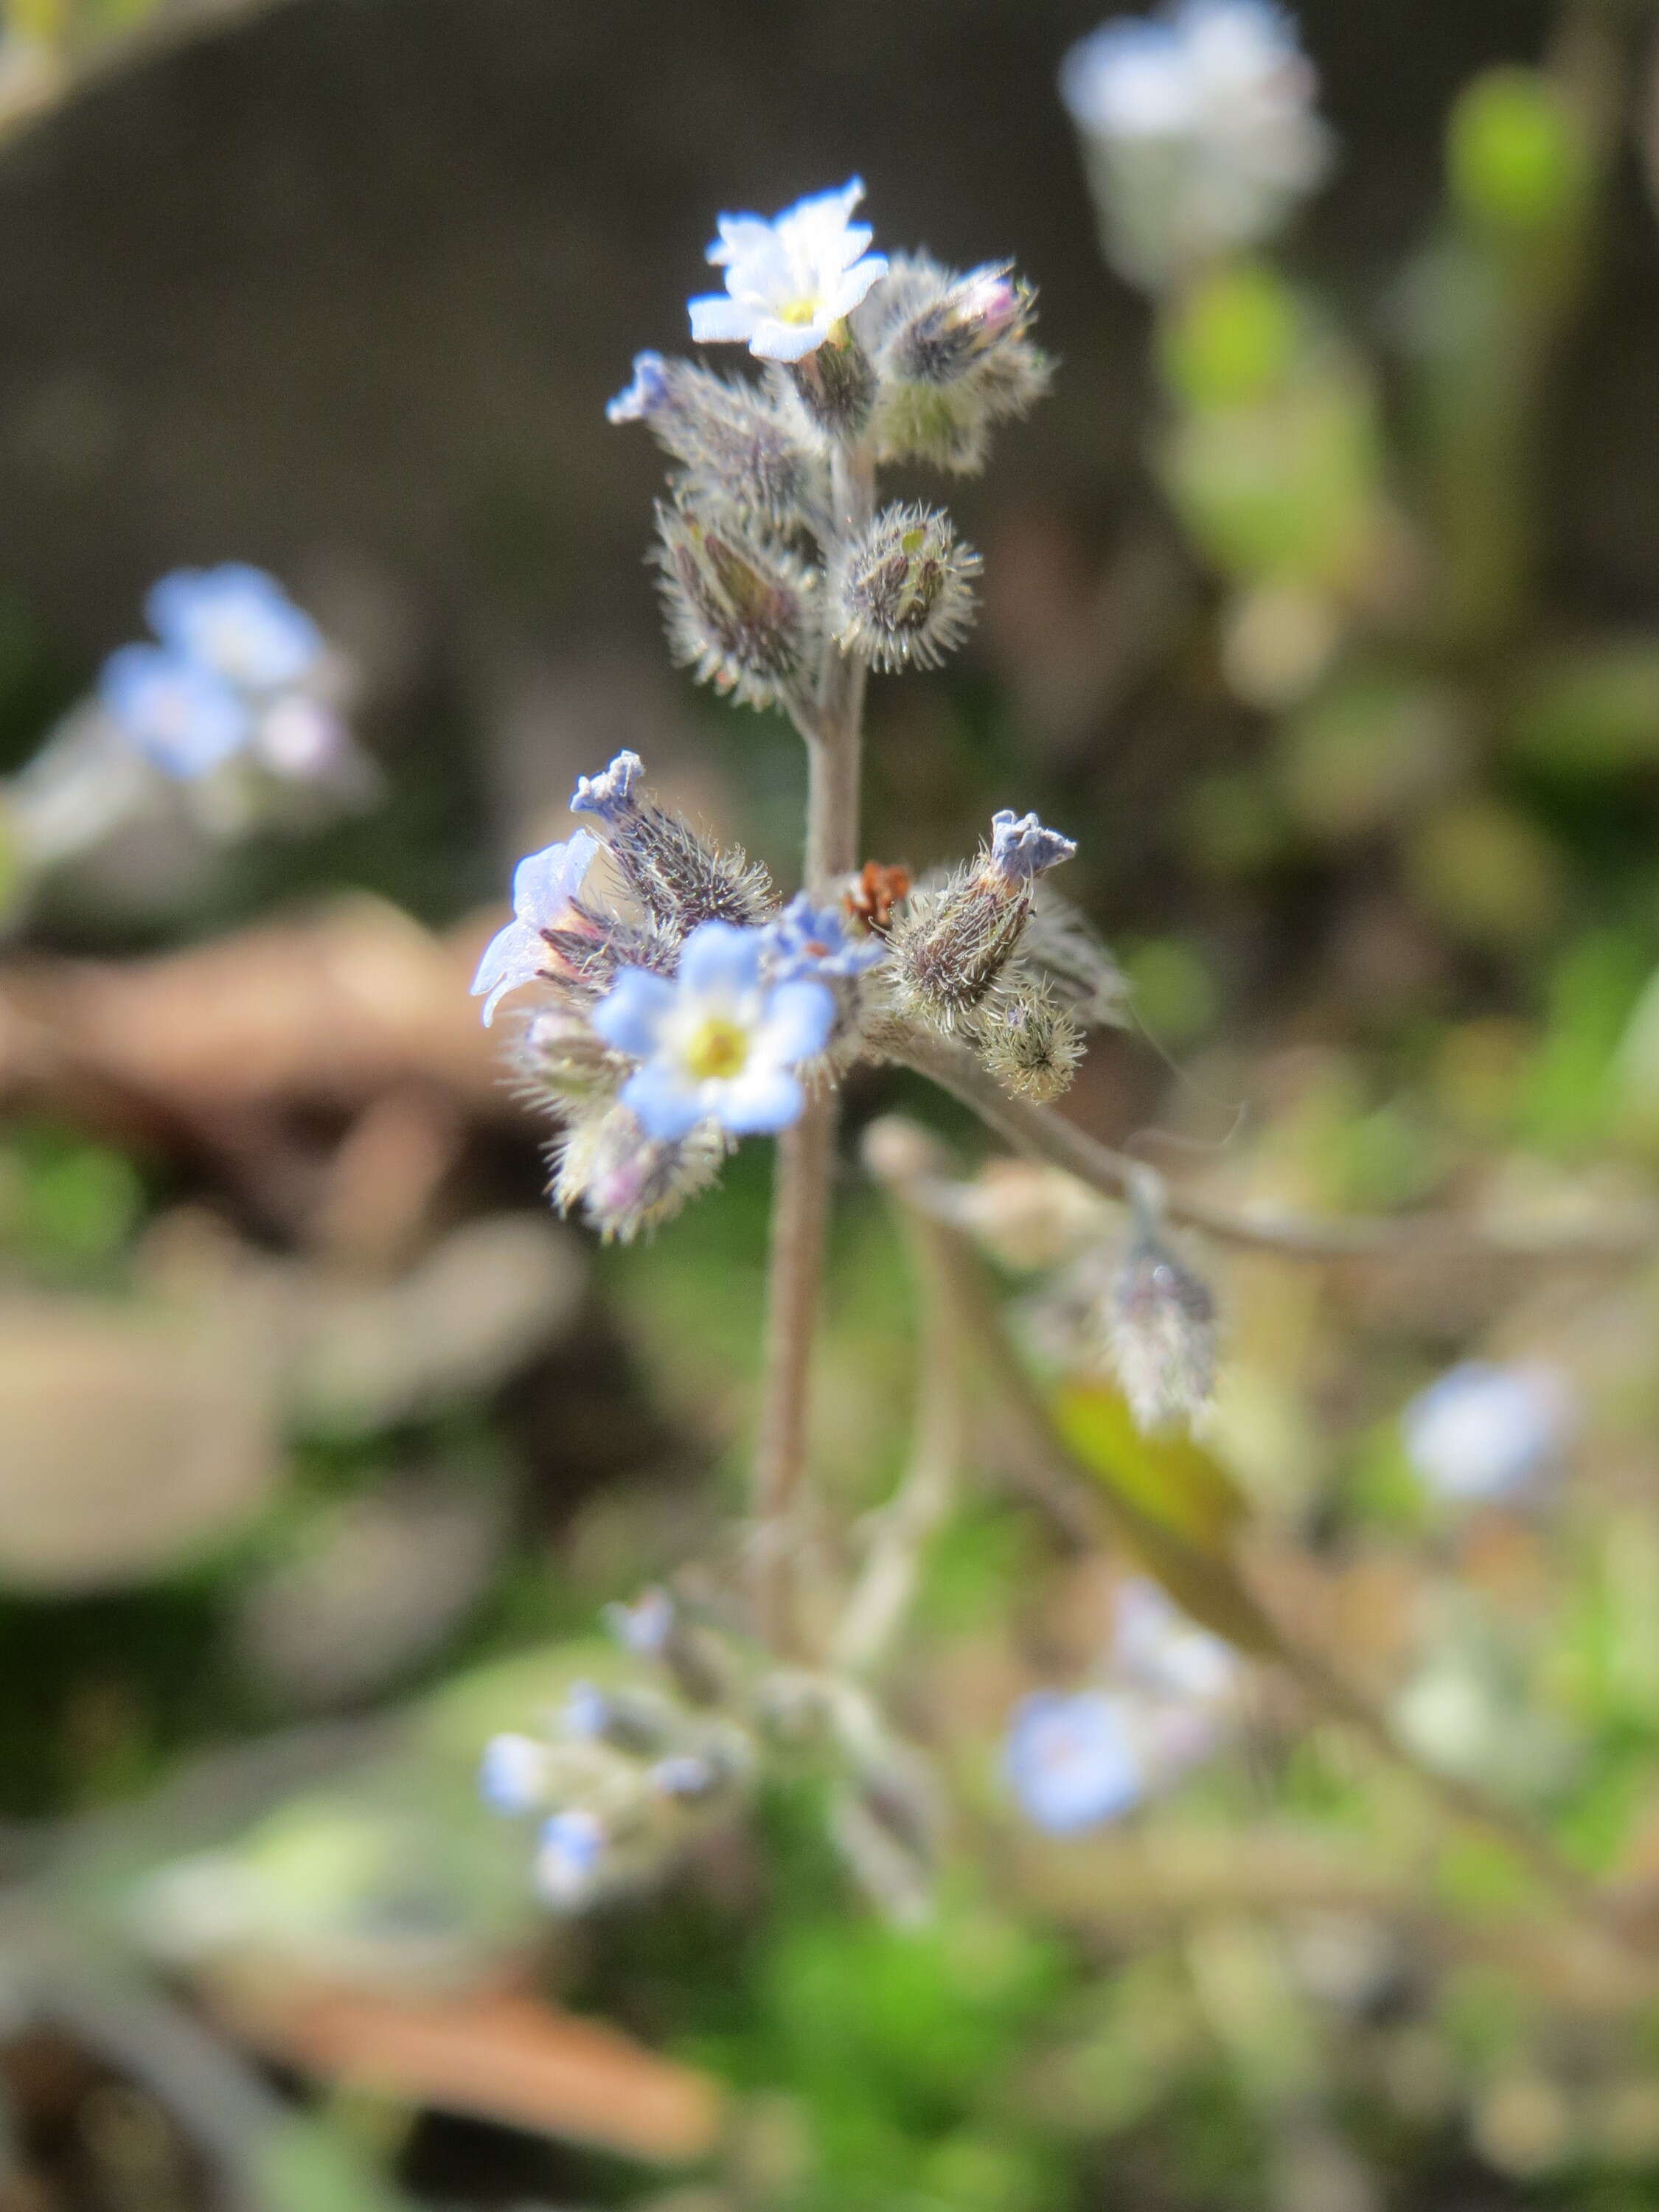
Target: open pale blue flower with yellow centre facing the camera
(716, 1045)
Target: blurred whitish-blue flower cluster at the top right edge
(1200, 132)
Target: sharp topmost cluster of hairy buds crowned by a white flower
(895, 355)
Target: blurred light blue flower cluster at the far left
(240, 674)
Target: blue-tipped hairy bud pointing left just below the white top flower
(735, 439)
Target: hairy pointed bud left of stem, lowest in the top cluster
(742, 614)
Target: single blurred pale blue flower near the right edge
(1488, 1432)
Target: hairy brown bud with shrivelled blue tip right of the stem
(952, 943)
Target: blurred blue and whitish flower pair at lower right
(1083, 1757)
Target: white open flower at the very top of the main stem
(789, 282)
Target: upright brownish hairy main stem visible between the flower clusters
(806, 1154)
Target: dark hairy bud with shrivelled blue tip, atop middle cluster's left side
(676, 877)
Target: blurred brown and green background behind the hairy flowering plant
(322, 1443)
